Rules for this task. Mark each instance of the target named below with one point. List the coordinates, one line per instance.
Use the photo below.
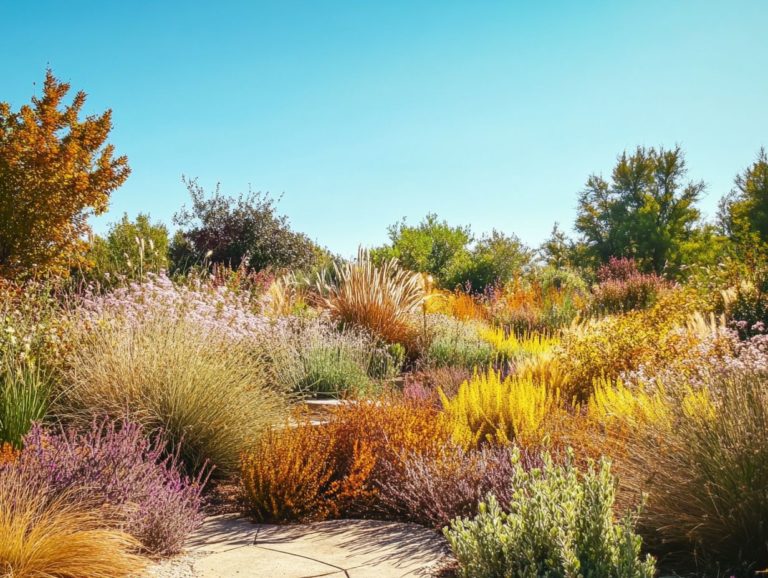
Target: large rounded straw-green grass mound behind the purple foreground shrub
(207, 392)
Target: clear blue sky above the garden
(488, 113)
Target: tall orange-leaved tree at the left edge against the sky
(55, 171)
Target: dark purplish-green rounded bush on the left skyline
(235, 231)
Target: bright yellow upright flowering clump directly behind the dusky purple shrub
(488, 408)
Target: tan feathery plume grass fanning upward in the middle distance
(382, 299)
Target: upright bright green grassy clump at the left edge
(24, 398)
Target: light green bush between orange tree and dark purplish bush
(130, 250)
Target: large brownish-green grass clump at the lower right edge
(706, 478)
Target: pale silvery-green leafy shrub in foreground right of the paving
(559, 523)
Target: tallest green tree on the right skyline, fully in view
(646, 212)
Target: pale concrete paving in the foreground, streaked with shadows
(230, 546)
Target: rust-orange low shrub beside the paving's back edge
(329, 470)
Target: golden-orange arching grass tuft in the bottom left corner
(61, 537)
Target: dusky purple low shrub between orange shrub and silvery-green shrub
(432, 488)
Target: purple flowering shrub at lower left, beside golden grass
(114, 464)
